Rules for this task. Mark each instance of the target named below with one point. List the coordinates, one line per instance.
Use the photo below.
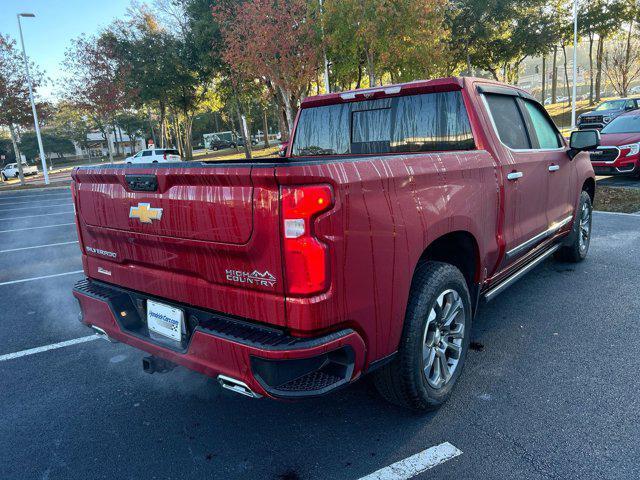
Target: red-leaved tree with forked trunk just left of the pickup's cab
(276, 41)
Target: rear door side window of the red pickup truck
(508, 120)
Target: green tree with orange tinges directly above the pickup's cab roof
(403, 39)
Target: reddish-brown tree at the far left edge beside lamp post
(15, 108)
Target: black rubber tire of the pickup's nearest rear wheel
(403, 381)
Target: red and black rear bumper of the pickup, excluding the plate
(270, 362)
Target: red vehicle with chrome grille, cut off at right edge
(619, 151)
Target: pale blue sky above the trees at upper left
(57, 22)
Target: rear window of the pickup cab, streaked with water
(417, 123)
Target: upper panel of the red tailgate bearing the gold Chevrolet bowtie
(215, 207)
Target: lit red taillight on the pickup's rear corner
(305, 256)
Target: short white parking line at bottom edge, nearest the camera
(418, 463)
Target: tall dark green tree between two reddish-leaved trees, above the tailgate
(170, 71)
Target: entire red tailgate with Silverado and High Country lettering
(205, 235)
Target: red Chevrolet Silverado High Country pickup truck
(369, 248)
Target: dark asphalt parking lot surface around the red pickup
(549, 391)
